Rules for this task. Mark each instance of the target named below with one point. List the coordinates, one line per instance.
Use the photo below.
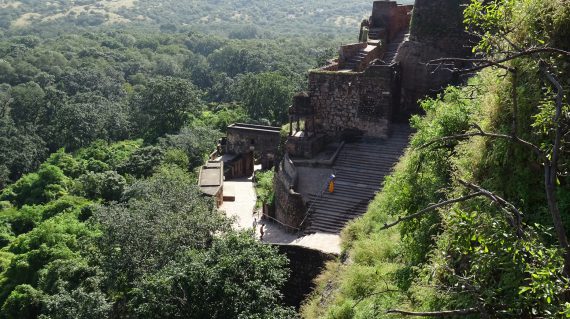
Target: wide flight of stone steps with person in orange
(360, 169)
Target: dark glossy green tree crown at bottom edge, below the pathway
(217, 283)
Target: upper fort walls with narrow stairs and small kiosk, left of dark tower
(358, 91)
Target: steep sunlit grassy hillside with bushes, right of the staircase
(474, 220)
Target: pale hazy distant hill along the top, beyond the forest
(238, 18)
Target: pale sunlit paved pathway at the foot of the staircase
(242, 209)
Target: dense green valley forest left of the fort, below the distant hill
(102, 130)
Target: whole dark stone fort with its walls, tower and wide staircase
(351, 121)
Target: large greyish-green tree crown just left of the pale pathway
(160, 218)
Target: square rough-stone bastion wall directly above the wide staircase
(354, 101)
